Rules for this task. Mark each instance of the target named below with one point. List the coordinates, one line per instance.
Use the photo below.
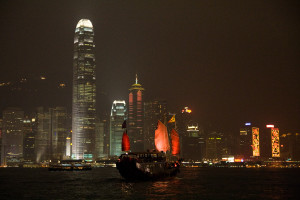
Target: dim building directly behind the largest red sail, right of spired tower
(153, 110)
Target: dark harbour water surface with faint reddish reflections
(191, 183)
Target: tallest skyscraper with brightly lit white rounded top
(84, 92)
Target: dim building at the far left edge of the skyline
(12, 137)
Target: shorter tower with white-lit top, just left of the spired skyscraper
(117, 117)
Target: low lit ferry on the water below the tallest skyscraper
(70, 165)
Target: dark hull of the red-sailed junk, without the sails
(131, 169)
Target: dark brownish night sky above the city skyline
(229, 61)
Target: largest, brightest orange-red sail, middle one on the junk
(161, 137)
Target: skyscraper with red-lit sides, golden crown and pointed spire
(135, 123)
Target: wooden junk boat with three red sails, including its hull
(151, 165)
